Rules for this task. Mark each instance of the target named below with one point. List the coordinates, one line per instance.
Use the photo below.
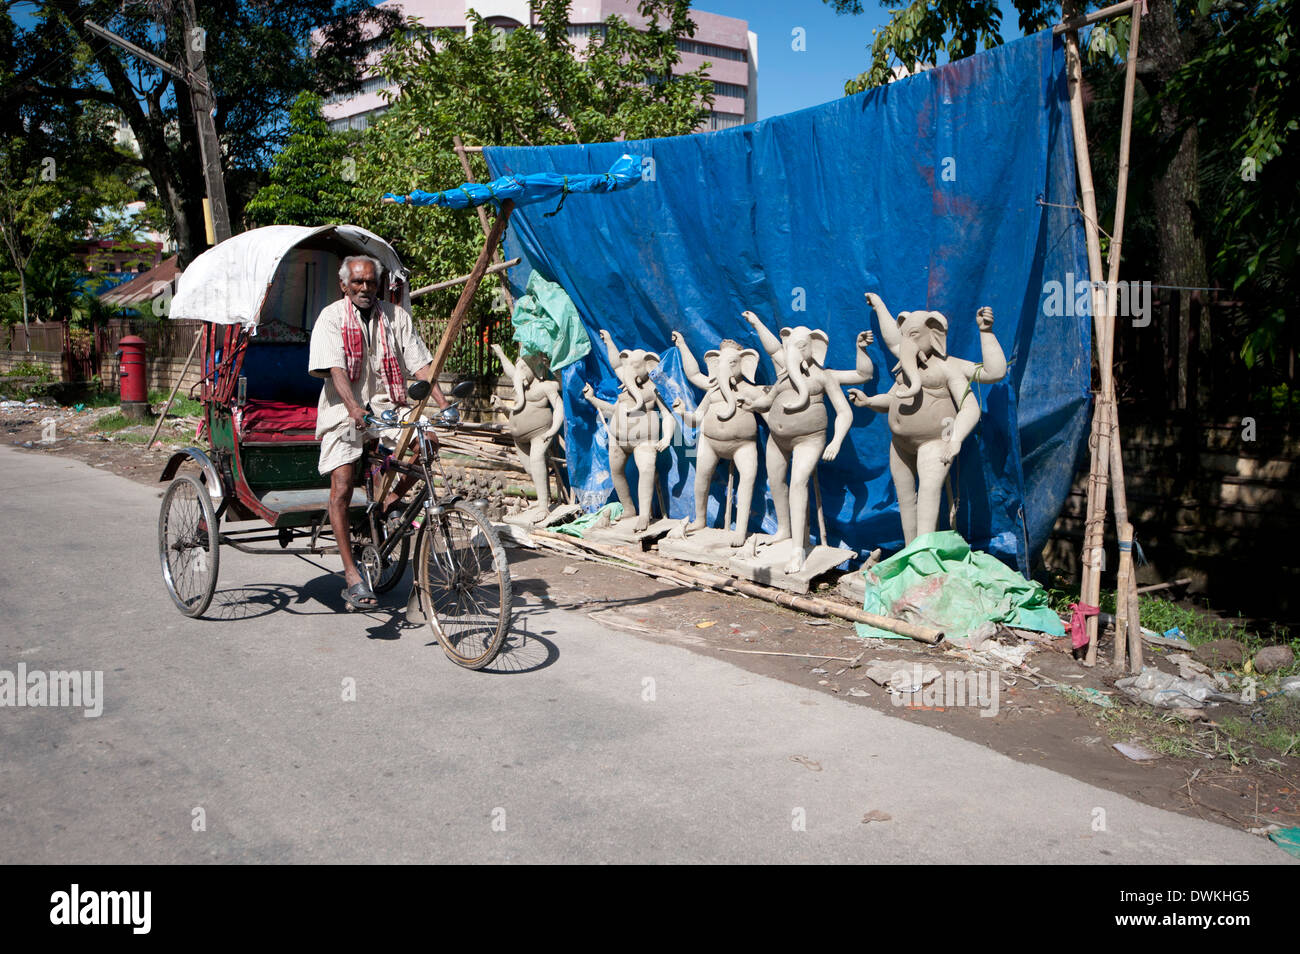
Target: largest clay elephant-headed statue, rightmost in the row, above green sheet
(931, 407)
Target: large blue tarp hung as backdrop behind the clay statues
(950, 190)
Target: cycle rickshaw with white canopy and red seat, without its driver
(259, 294)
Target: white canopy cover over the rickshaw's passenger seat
(229, 283)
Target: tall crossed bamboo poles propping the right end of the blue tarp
(1107, 467)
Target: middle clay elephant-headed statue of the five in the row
(727, 431)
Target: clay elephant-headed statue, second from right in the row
(795, 411)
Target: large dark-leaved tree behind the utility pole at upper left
(259, 57)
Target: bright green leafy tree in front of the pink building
(527, 88)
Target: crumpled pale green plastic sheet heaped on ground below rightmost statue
(939, 582)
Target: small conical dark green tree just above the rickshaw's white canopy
(311, 177)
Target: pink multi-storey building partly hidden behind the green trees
(723, 42)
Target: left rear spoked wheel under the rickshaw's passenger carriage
(189, 545)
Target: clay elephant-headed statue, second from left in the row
(640, 427)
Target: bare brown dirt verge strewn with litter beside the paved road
(1199, 770)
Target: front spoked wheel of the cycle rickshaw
(465, 582)
